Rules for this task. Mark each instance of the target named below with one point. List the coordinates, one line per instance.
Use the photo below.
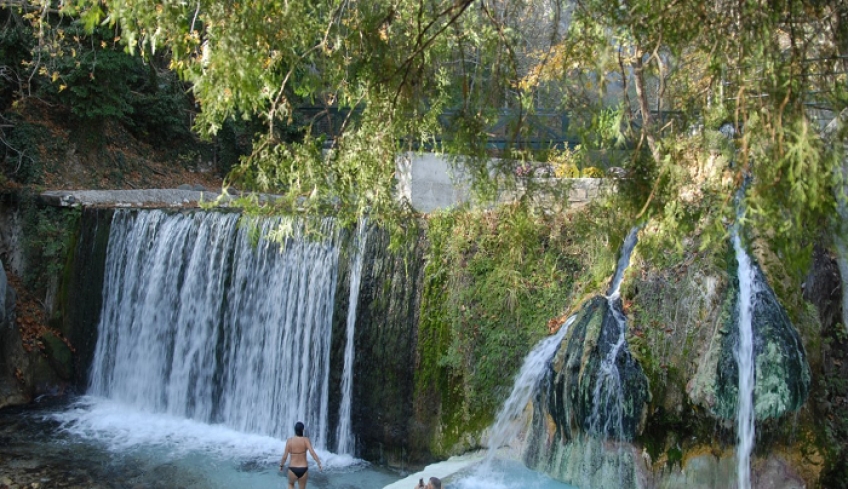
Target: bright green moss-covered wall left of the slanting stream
(493, 280)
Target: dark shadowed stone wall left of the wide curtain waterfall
(58, 348)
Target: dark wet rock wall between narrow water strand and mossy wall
(385, 340)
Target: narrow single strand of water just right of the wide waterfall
(345, 434)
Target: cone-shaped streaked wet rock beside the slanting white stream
(571, 421)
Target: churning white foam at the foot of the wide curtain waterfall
(142, 447)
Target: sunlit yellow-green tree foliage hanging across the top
(657, 78)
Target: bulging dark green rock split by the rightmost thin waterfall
(781, 368)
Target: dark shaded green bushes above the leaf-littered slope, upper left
(51, 64)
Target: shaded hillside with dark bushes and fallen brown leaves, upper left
(86, 114)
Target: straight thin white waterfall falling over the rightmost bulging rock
(745, 359)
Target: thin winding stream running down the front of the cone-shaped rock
(607, 392)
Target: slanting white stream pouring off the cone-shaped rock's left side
(536, 364)
